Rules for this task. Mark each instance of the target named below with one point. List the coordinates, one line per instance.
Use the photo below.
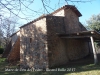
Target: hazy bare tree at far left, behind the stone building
(8, 28)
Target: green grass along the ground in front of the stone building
(86, 69)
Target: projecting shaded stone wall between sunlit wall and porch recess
(56, 48)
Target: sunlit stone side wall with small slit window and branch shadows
(34, 51)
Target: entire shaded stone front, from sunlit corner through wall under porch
(61, 51)
